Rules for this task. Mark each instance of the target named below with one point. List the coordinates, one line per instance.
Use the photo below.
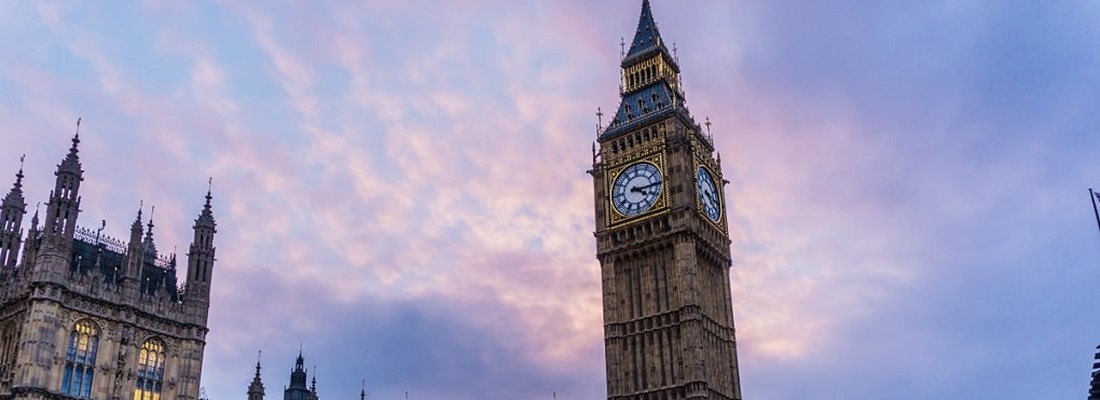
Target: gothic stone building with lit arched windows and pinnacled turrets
(84, 316)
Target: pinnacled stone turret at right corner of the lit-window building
(201, 261)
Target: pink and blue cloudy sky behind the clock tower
(401, 194)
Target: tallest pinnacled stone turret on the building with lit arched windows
(65, 201)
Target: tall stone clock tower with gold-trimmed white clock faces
(663, 239)
